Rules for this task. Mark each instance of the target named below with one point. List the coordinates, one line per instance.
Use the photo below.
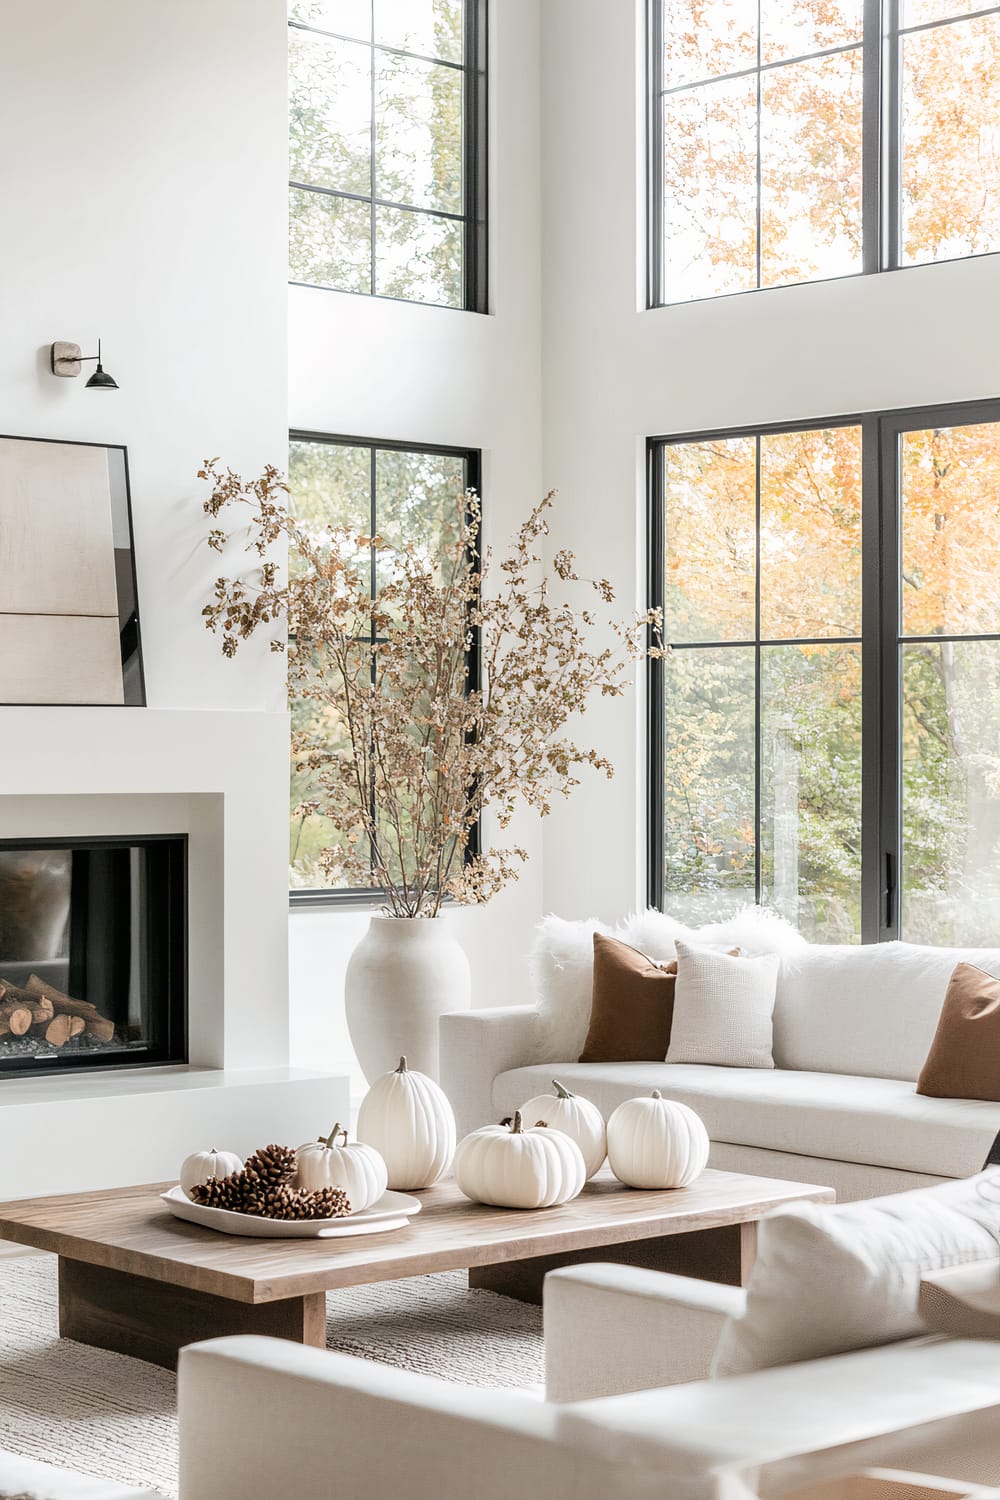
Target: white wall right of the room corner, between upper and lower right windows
(615, 374)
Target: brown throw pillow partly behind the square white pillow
(633, 1006)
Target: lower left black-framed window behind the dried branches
(403, 493)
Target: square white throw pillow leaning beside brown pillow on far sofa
(723, 1009)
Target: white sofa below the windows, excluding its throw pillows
(852, 1028)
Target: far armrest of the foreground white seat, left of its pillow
(611, 1330)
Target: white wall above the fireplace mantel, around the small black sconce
(143, 179)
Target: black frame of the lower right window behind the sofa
(881, 641)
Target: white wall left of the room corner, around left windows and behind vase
(386, 370)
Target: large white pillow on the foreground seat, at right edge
(833, 1277)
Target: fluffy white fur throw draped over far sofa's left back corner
(563, 961)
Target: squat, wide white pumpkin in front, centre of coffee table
(519, 1169)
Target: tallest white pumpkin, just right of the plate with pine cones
(409, 1120)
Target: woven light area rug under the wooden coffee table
(112, 1417)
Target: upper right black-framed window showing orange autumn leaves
(794, 143)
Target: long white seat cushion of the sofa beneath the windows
(882, 1123)
